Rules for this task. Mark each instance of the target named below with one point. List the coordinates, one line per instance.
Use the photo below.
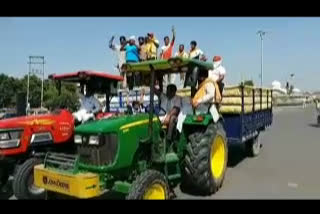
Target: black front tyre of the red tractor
(23, 187)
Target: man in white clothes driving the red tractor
(89, 107)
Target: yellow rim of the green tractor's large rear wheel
(217, 157)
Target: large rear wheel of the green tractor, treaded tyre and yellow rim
(206, 161)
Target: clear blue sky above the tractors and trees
(70, 44)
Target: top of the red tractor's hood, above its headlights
(21, 122)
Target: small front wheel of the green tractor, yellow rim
(150, 185)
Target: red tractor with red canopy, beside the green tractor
(24, 141)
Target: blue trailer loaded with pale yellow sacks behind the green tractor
(246, 111)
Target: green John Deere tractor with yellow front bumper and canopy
(130, 154)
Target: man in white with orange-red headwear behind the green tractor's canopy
(218, 73)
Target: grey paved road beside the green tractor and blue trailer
(288, 166)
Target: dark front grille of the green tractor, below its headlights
(102, 154)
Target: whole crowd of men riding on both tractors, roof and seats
(210, 84)
